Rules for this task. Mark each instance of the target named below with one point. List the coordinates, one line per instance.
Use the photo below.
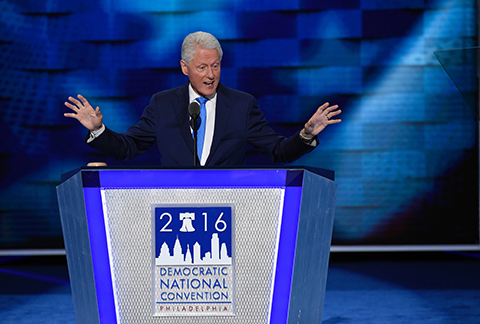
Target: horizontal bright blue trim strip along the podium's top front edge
(192, 178)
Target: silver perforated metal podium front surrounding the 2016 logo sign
(128, 222)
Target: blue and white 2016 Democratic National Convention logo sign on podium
(193, 260)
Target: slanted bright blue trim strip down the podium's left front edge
(99, 251)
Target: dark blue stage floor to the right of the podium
(417, 288)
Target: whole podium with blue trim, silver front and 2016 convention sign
(198, 245)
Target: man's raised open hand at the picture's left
(84, 113)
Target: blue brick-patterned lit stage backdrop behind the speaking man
(405, 155)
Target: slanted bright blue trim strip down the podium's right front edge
(286, 255)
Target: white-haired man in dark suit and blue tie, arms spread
(232, 119)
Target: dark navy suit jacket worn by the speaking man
(165, 121)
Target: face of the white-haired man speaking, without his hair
(203, 71)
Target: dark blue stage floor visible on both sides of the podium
(420, 288)
